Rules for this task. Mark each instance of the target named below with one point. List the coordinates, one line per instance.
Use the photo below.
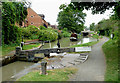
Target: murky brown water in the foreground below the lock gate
(13, 68)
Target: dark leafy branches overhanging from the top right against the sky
(96, 7)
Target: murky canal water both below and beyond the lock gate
(13, 68)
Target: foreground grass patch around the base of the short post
(53, 75)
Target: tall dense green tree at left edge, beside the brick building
(12, 12)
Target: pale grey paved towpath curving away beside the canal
(94, 68)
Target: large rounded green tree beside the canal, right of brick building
(72, 19)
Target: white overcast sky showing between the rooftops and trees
(50, 8)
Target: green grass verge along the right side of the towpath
(111, 53)
